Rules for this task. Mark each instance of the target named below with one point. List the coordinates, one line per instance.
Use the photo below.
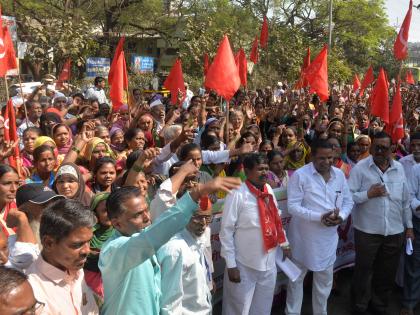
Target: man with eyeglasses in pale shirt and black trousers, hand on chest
(382, 220)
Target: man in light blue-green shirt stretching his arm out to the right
(130, 271)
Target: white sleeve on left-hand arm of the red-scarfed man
(228, 227)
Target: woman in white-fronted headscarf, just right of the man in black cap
(69, 182)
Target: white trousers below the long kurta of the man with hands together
(321, 289)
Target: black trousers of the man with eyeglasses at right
(377, 258)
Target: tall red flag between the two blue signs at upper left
(119, 82)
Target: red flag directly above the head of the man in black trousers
(380, 103)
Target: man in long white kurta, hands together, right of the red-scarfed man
(318, 199)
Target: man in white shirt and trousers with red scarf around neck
(250, 234)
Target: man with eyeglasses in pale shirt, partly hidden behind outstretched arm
(185, 268)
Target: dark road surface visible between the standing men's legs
(339, 303)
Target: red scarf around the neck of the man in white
(271, 226)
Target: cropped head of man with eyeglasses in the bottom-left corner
(16, 294)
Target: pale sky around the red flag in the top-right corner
(396, 10)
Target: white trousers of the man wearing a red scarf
(253, 295)
